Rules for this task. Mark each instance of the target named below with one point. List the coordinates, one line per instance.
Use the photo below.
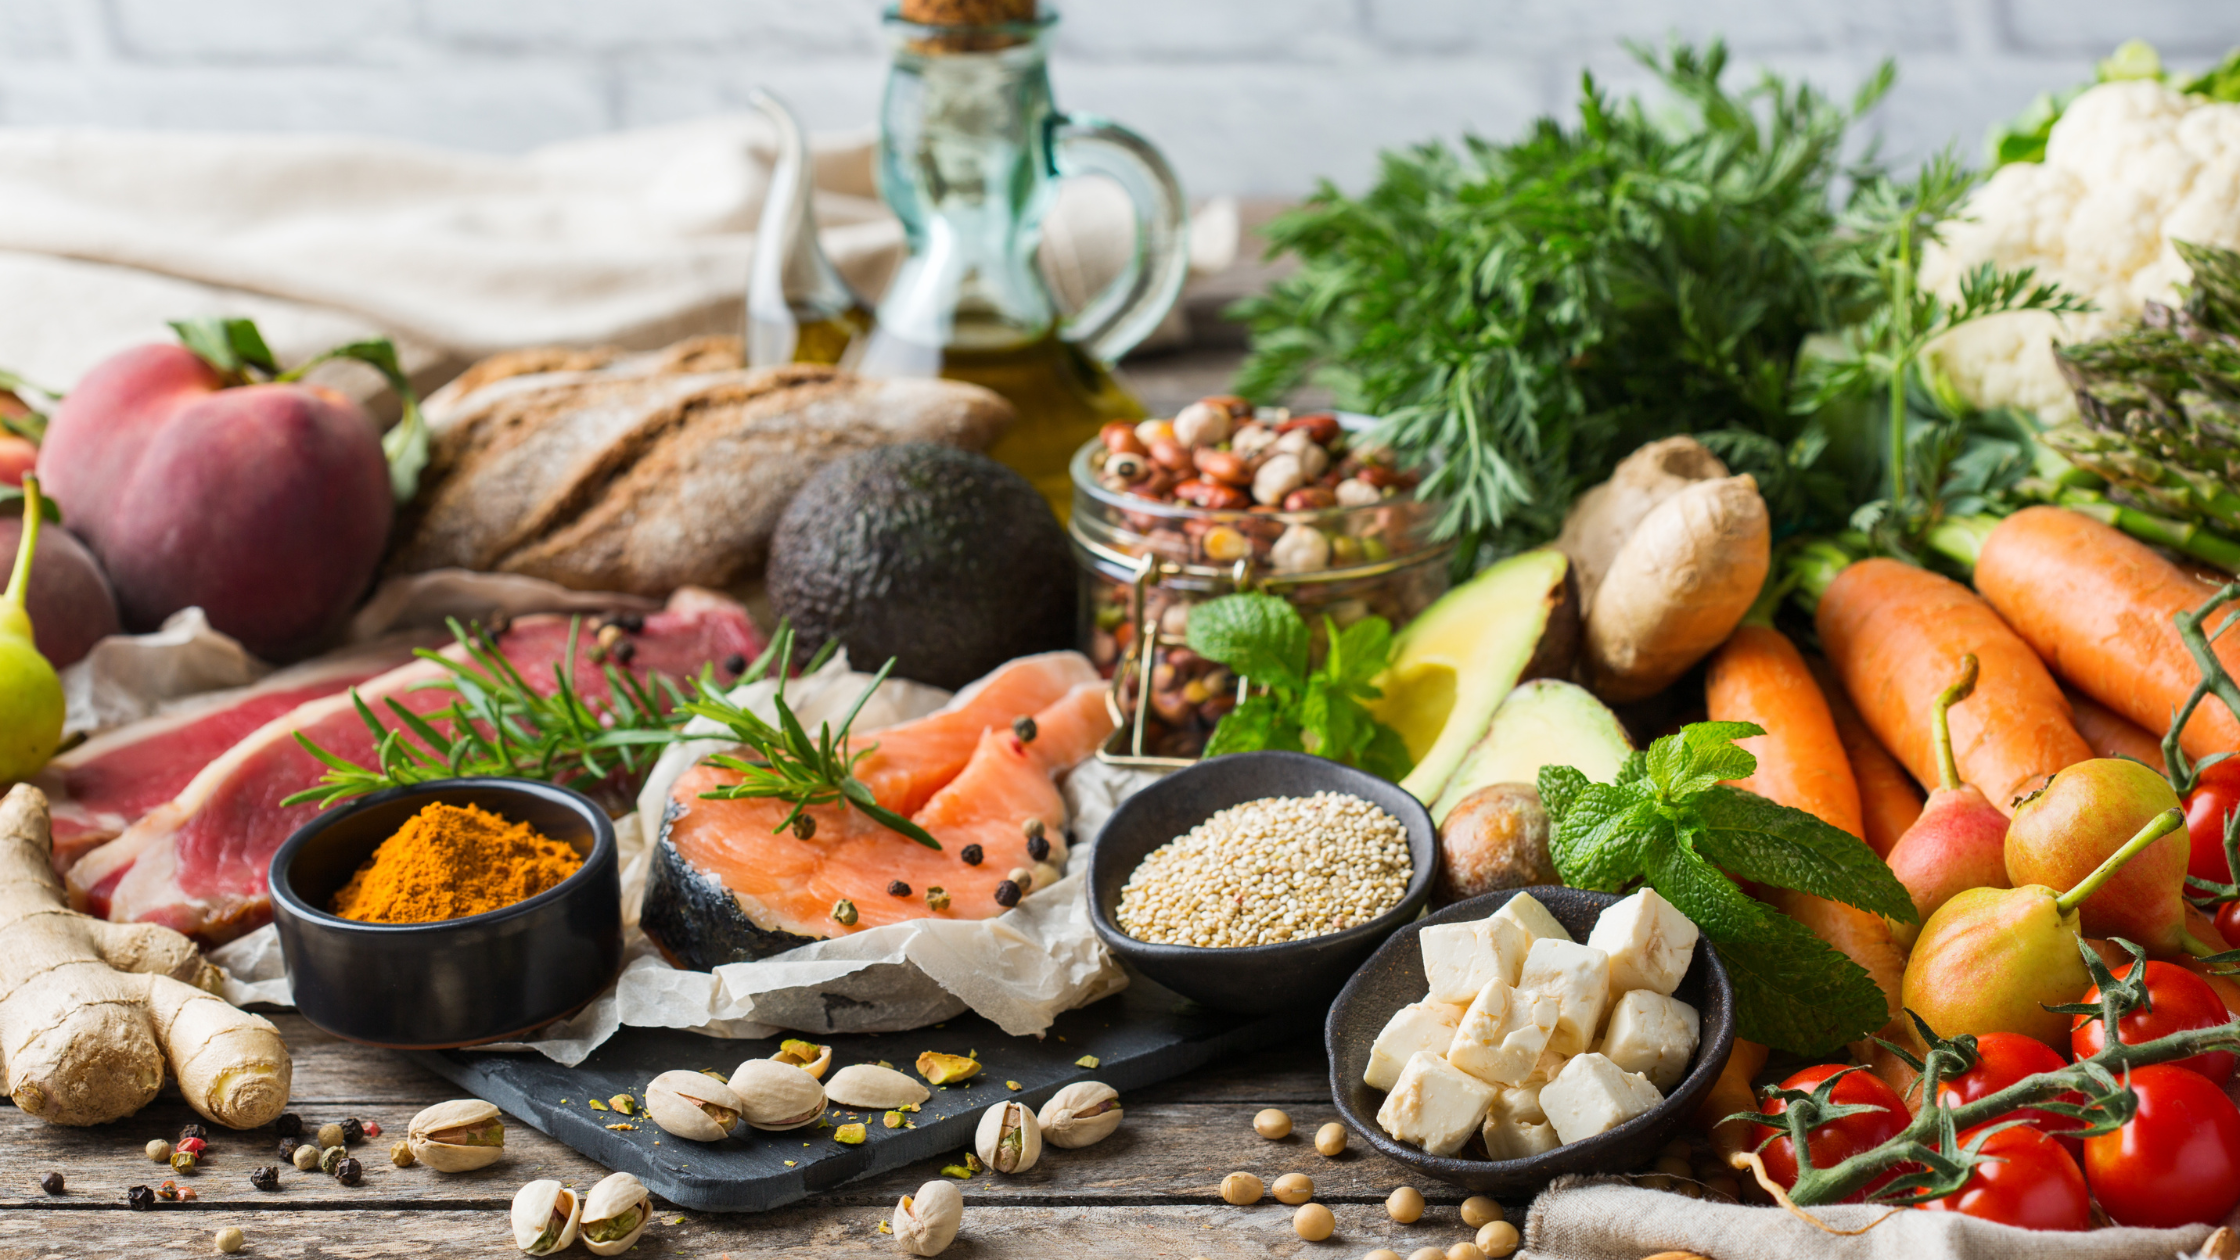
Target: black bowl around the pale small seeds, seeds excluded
(1256, 979)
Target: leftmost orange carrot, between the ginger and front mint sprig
(1757, 676)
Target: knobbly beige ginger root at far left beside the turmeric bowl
(95, 1012)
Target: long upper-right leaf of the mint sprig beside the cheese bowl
(1757, 840)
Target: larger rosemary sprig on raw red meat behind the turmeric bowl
(501, 725)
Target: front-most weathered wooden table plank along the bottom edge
(808, 1234)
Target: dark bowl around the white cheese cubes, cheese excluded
(1394, 979)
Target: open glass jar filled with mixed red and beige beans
(1226, 497)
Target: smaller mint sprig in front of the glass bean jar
(1303, 710)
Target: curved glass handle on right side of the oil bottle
(1130, 308)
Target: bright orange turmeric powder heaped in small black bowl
(451, 862)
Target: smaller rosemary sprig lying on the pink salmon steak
(792, 766)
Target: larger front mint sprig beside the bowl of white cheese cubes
(1672, 822)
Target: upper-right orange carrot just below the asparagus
(2098, 606)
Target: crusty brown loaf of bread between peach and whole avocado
(648, 472)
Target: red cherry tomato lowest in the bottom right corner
(2178, 1160)
